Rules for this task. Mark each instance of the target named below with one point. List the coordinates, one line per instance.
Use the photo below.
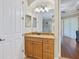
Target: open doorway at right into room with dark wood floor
(70, 18)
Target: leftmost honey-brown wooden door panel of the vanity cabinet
(28, 47)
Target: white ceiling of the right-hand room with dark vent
(69, 7)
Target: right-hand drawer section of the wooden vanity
(48, 49)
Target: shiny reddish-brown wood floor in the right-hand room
(69, 48)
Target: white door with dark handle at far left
(10, 29)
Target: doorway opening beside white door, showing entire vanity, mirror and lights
(39, 17)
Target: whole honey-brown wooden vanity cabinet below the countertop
(39, 48)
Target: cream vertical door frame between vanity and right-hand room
(58, 29)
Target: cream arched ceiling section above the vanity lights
(38, 3)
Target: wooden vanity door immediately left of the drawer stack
(37, 50)
